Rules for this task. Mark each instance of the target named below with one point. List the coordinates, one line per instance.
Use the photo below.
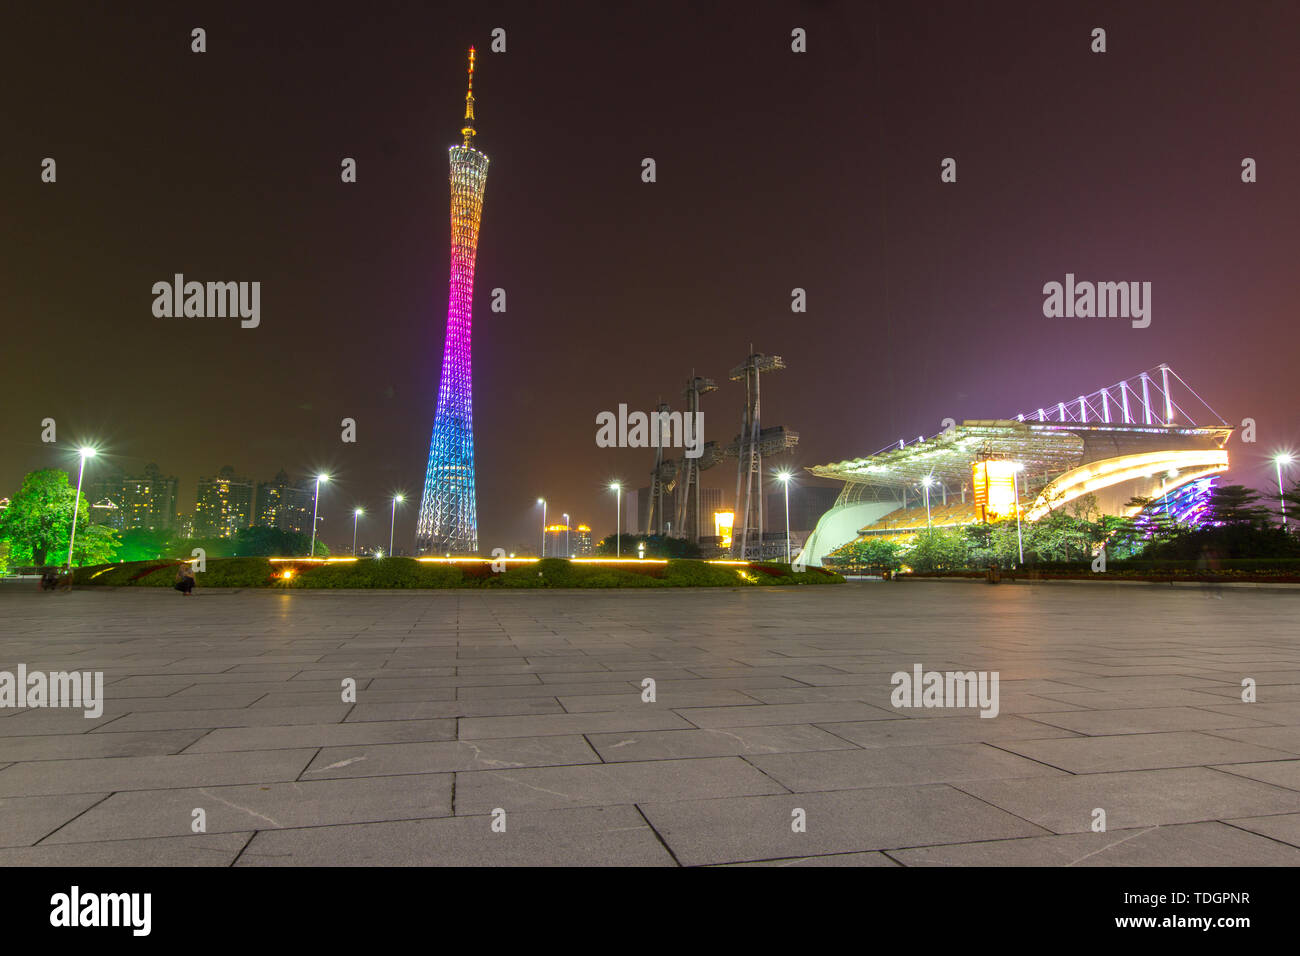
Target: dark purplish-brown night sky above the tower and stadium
(775, 171)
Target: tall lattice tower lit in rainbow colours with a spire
(449, 520)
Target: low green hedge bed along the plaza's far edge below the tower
(408, 573)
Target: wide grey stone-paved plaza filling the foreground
(496, 728)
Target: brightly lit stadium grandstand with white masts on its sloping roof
(1121, 443)
